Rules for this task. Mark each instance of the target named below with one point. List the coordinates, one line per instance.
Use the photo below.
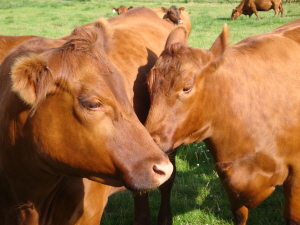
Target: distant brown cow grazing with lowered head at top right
(248, 7)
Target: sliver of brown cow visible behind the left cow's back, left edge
(9, 42)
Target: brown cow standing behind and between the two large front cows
(147, 42)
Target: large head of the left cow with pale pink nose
(81, 121)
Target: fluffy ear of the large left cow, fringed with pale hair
(29, 76)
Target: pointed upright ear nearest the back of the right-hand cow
(221, 43)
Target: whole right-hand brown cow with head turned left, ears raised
(244, 102)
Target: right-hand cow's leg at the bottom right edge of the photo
(292, 201)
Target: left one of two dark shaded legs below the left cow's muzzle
(141, 208)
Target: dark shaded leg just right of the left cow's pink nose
(165, 213)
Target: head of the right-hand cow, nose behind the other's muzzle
(176, 84)
